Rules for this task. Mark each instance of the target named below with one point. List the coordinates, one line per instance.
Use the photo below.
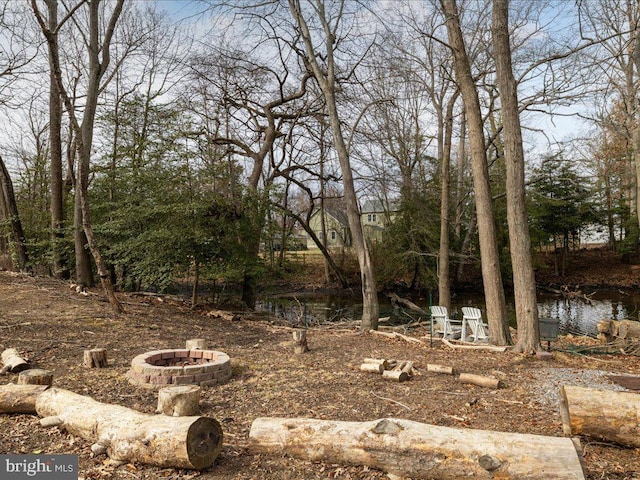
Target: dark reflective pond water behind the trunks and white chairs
(575, 316)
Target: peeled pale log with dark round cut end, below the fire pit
(130, 436)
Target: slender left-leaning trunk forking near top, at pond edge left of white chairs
(325, 75)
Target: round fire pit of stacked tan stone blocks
(180, 367)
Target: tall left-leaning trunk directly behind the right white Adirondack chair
(490, 259)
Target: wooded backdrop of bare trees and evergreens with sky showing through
(137, 152)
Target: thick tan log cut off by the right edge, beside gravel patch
(603, 414)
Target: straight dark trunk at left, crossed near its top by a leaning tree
(60, 268)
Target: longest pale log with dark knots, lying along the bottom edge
(418, 450)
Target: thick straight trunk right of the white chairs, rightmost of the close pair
(524, 283)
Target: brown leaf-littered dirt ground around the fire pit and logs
(52, 325)
